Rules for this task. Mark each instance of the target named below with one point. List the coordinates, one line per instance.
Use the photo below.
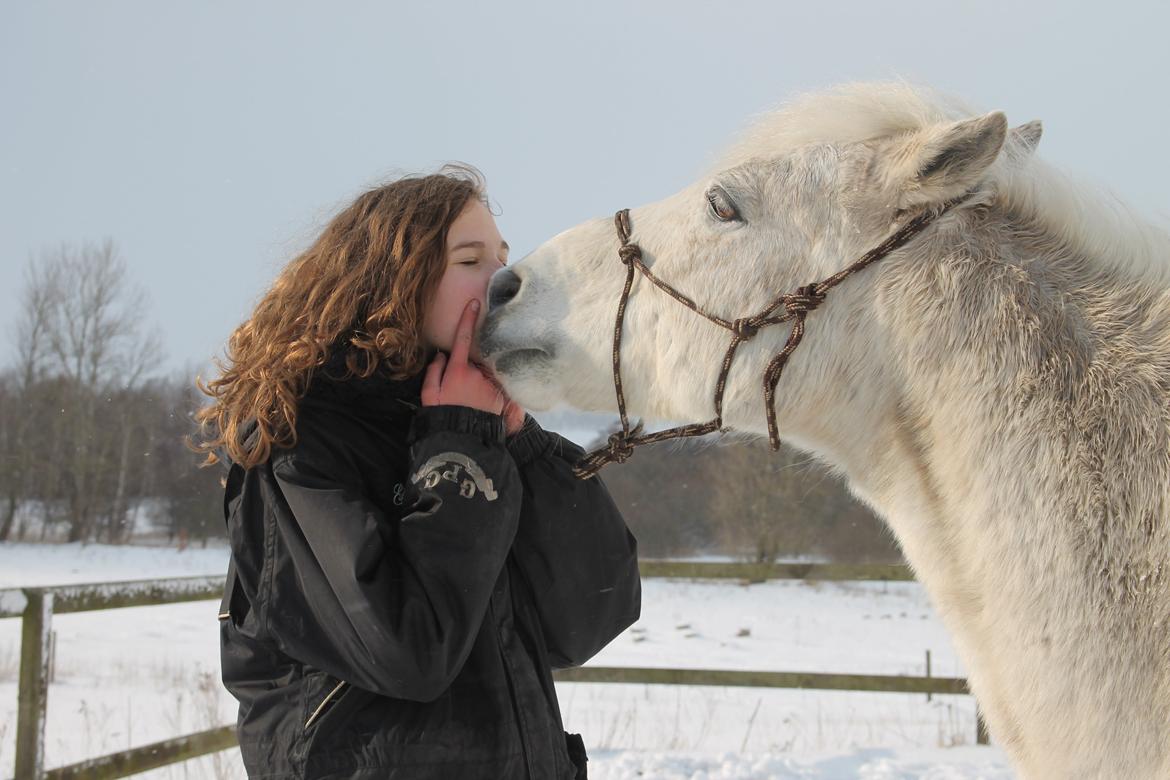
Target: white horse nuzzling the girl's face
(999, 390)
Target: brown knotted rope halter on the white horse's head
(797, 306)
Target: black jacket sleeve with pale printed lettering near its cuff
(396, 611)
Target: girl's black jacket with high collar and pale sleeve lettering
(404, 581)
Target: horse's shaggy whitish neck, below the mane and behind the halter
(1018, 450)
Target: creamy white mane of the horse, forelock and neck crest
(1084, 218)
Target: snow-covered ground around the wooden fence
(133, 677)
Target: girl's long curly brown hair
(362, 287)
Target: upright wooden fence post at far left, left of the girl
(35, 687)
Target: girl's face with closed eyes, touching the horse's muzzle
(476, 252)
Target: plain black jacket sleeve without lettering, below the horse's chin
(574, 548)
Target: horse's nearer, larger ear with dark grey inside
(945, 162)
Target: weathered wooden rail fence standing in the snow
(37, 608)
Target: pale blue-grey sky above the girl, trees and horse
(212, 141)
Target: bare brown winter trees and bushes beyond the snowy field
(93, 444)
